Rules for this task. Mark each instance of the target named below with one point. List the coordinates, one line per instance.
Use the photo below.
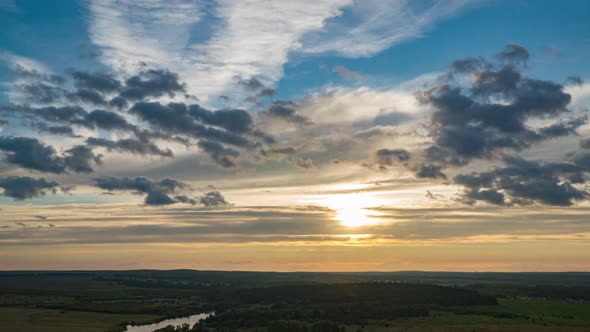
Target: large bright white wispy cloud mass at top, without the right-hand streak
(252, 38)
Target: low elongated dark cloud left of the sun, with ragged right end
(158, 192)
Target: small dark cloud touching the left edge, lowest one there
(21, 188)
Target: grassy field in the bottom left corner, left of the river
(24, 319)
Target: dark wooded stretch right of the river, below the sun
(347, 304)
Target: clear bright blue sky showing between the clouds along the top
(556, 33)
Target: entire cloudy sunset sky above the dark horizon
(324, 135)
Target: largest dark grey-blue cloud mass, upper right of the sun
(492, 115)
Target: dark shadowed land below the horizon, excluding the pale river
(267, 301)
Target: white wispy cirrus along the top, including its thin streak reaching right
(250, 38)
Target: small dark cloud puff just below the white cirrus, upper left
(152, 83)
